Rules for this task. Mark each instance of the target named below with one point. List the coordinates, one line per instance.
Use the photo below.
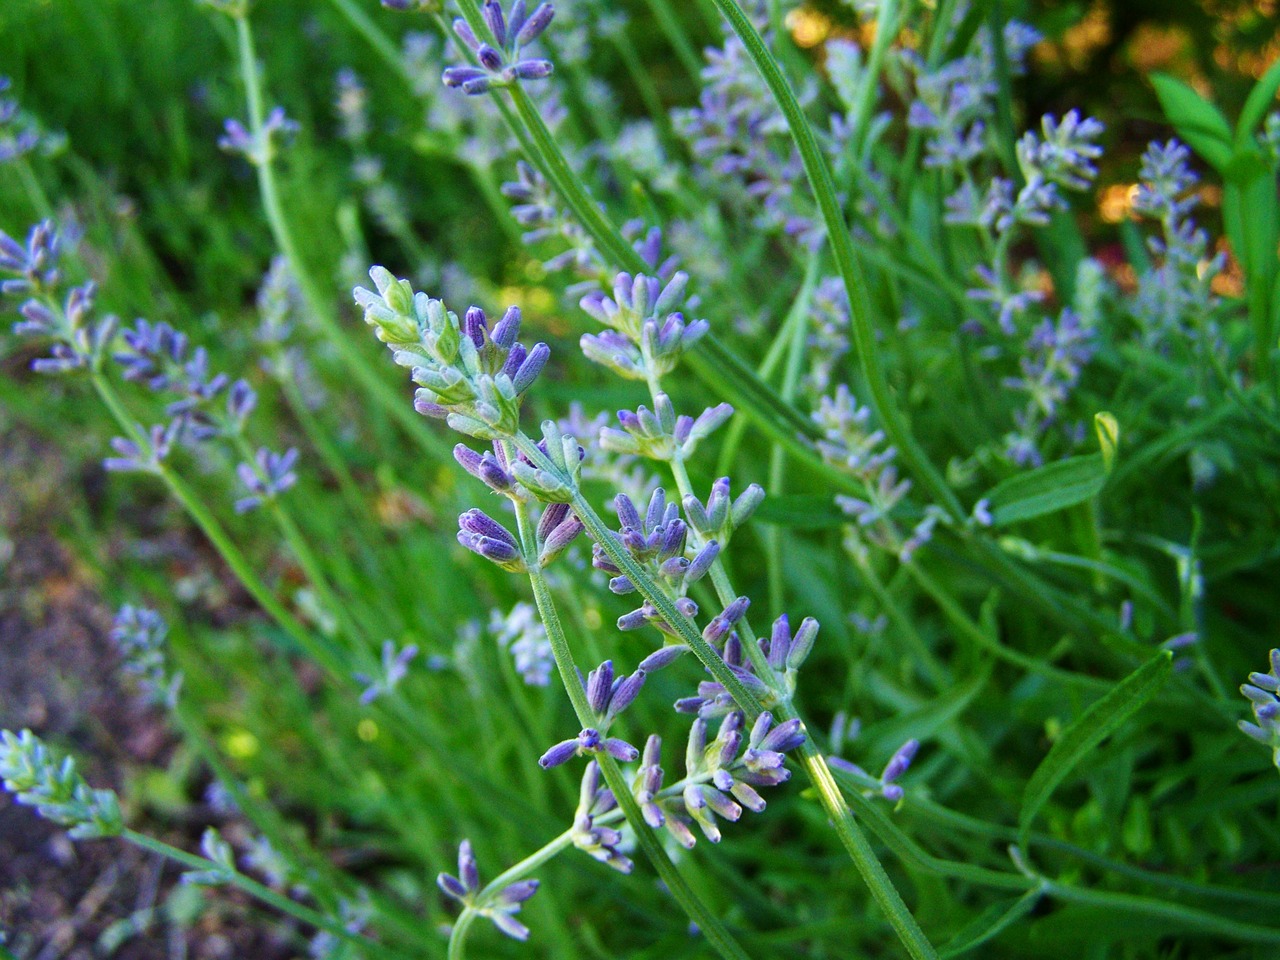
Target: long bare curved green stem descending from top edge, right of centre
(843, 249)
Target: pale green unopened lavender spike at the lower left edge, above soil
(36, 778)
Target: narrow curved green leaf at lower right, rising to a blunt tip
(1095, 725)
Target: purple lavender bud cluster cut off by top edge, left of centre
(502, 65)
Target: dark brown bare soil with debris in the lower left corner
(61, 678)
